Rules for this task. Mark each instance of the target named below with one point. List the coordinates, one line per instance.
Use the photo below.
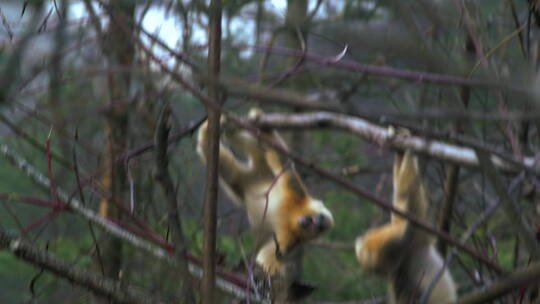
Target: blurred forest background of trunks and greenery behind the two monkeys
(88, 187)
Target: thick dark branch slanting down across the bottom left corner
(116, 291)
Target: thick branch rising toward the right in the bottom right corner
(512, 282)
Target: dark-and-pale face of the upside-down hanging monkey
(313, 219)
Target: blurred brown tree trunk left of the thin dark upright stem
(119, 50)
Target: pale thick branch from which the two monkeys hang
(378, 134)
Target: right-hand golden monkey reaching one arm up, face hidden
(401, 252)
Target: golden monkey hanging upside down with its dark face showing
(270, 190)
